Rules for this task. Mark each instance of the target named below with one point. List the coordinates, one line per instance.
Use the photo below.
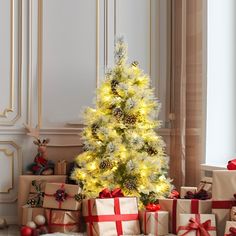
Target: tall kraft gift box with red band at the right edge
(223, 190)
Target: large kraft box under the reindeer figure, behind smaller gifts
(24, 187)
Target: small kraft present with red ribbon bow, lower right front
(197, 225)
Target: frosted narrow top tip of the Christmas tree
(120, 51)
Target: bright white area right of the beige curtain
(221, 85)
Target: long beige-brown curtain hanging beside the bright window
(187, 136)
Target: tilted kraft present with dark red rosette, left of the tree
(62, 196)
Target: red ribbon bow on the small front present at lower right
(195, 225)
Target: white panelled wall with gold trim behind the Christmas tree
(58, 58)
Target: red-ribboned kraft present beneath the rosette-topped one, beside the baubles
(63, 221)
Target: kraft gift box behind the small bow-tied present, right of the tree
(183, 206)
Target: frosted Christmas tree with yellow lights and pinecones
(121, 146)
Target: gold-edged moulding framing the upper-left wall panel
(11, 107)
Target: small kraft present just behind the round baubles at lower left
(29, 213)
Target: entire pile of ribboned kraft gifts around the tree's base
(209, 209)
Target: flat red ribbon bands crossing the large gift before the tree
(117, 217)
